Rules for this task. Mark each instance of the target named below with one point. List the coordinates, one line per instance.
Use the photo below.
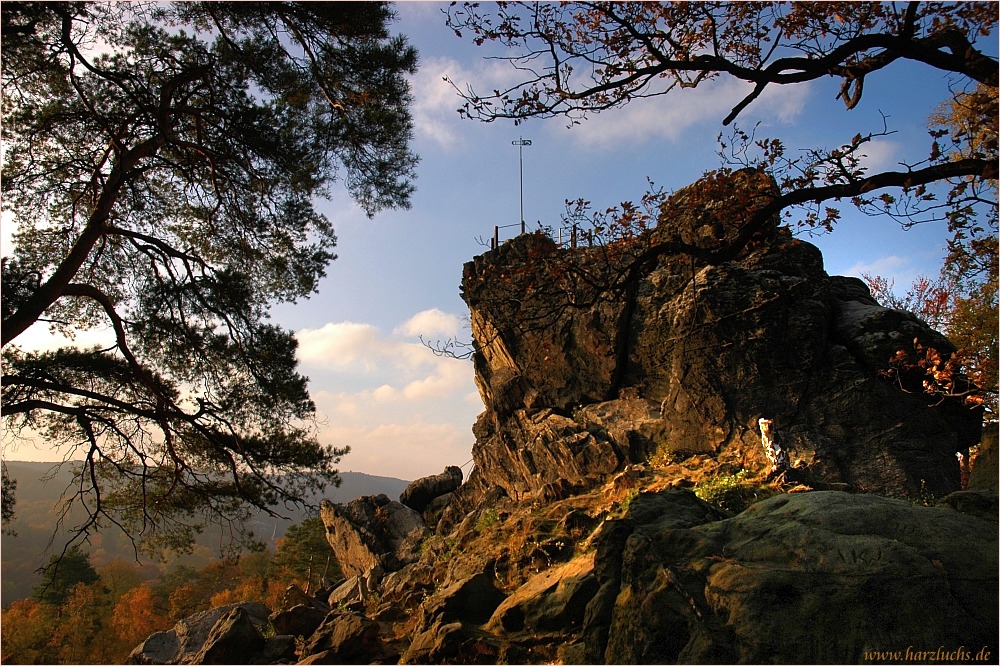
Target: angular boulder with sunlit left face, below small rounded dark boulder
(370, 531)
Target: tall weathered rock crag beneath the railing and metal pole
(577, 383)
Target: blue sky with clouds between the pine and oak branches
(407, 413)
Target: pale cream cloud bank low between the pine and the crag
(404, 411)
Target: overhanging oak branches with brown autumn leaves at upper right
(576, 59)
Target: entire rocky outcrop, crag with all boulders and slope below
(681, 460)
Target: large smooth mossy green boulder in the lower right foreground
(821, 577)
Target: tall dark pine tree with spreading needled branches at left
(160, 165)
